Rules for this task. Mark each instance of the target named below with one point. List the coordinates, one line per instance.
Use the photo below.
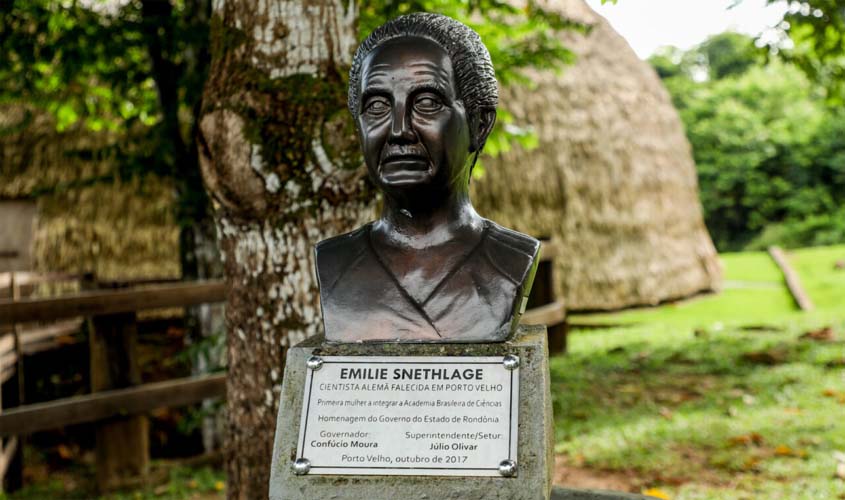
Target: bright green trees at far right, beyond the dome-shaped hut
(768, 143)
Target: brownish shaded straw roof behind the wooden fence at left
(121, 229)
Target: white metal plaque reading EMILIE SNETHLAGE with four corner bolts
(431, 416)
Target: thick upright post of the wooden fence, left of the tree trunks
(123, 454)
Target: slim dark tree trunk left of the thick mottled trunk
(198, 254)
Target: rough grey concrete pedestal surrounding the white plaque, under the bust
(535, 435)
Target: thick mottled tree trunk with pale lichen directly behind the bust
(280, 160)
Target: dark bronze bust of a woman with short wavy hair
(423, 94)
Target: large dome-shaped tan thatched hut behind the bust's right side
(613, 179)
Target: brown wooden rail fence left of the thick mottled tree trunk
(118, 400)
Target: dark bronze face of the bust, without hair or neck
(413, 127)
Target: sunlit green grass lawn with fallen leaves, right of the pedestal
(717, 397)
